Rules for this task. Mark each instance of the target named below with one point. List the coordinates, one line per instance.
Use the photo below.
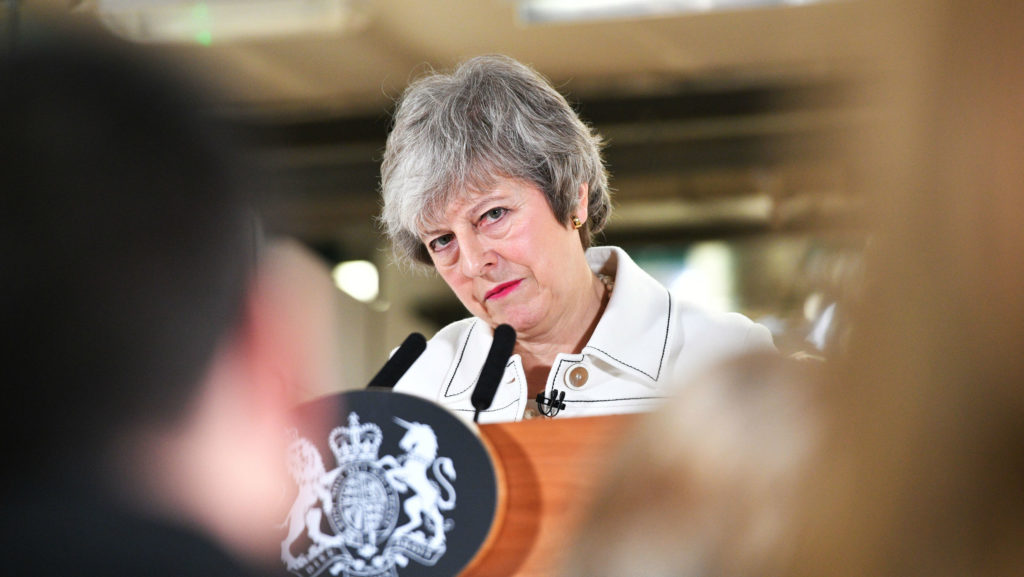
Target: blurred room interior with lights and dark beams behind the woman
(726, 122)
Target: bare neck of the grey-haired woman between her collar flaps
(571, 336)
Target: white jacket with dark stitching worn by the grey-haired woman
(646, 343)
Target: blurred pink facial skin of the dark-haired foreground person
(231, 455)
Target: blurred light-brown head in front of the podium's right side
(706, 484)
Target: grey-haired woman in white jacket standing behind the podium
(491, 178)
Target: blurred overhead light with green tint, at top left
(212, 22)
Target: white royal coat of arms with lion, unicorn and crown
(350, 515)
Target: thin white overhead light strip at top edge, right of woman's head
(549, 12)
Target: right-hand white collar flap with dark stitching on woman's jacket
(633, 334)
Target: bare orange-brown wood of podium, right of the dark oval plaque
(548, 471)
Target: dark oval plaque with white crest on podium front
(399, 487)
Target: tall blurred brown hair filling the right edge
(924, 468)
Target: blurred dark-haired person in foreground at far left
(144, 414)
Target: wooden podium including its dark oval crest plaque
(378, 473)
